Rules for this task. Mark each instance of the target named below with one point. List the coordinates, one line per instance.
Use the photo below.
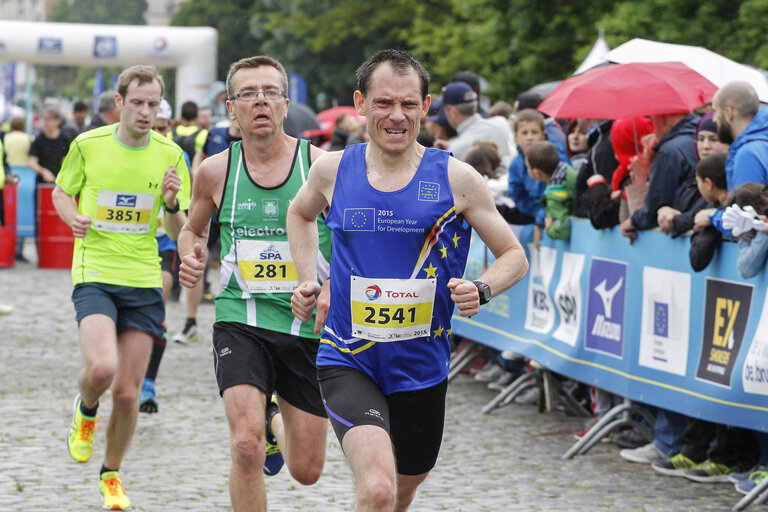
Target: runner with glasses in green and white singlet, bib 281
(259, 346)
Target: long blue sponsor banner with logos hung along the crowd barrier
(637, 321)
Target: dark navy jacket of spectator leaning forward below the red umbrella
(674, 162)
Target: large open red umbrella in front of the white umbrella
(629, 90)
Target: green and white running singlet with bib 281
(257, 270)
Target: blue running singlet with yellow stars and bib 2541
(392, 256)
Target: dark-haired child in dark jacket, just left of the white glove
(710, 179)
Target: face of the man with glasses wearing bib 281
(258, 116)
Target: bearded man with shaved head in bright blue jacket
(744, 125)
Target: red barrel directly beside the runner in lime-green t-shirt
(55, 241)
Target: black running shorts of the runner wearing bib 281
(271, 361)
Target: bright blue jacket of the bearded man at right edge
(748, 157)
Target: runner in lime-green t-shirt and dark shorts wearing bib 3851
(123, 174)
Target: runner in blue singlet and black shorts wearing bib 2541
(384, 357)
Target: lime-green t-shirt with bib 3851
(120, 190)
